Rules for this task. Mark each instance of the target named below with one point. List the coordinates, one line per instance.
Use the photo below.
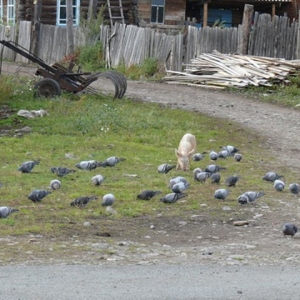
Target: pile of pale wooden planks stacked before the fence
(233, 70)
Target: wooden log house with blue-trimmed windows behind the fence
(164, 14)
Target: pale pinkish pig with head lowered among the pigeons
(186, 149)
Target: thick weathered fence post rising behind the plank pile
(243, 40)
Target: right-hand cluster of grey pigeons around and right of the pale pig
(179, 184)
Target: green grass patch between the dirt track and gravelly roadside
(96, 127)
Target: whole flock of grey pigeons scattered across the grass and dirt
(178, 185)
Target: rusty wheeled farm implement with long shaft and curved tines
(56, 77)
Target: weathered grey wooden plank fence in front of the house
(128, 44)
